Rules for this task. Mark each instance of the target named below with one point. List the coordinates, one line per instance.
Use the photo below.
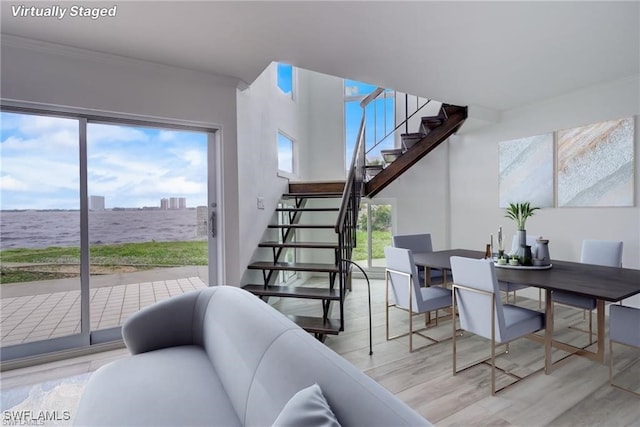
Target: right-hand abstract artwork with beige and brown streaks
(595, 164)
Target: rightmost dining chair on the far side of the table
(599, 252)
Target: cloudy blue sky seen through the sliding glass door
(129, 166)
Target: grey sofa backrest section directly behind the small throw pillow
(297, 360)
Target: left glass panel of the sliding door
(39, 229)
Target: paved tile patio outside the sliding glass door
(38, 316)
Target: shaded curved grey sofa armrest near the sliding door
(165, 324)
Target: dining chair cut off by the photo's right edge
(624, 328)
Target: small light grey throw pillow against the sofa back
(308, 407)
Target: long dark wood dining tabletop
(606, 283)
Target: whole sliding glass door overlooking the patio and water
(99, 218)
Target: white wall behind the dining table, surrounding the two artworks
(474, 176)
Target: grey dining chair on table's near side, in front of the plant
(476, 299)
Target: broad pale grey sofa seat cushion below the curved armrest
(168, 387)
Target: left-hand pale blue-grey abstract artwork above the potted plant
(526, 171)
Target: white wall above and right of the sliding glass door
(42, 73)
